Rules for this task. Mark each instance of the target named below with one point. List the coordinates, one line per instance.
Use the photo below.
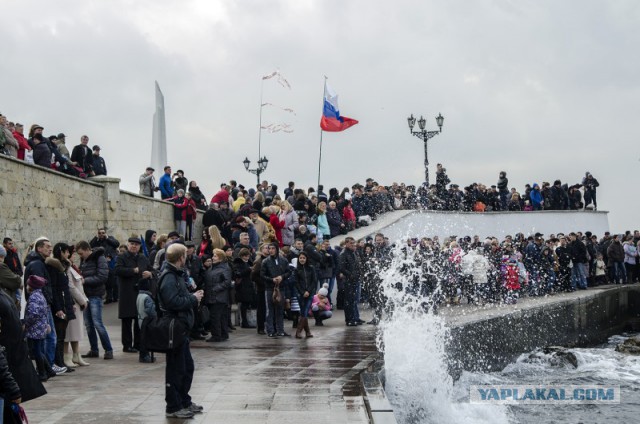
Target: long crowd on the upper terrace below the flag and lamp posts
(339, 212)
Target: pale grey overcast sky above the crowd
(539, 89)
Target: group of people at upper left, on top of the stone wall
(50, 152)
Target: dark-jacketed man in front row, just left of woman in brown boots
(273, 272)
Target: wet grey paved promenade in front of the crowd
(249, 379)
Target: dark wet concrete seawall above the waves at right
(487, 339)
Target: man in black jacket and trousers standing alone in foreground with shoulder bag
(176, 301)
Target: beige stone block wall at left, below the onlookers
(35, 202)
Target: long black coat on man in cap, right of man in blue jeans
(128, 281)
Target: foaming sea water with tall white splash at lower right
(420, 389)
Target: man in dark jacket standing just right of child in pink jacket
(351, 274)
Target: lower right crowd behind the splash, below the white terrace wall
(498, 271)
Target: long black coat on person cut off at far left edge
(12, 339)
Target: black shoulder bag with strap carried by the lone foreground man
(162, 333)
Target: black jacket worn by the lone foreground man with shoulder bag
(174, 299)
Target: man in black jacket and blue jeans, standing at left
(95, 271)
